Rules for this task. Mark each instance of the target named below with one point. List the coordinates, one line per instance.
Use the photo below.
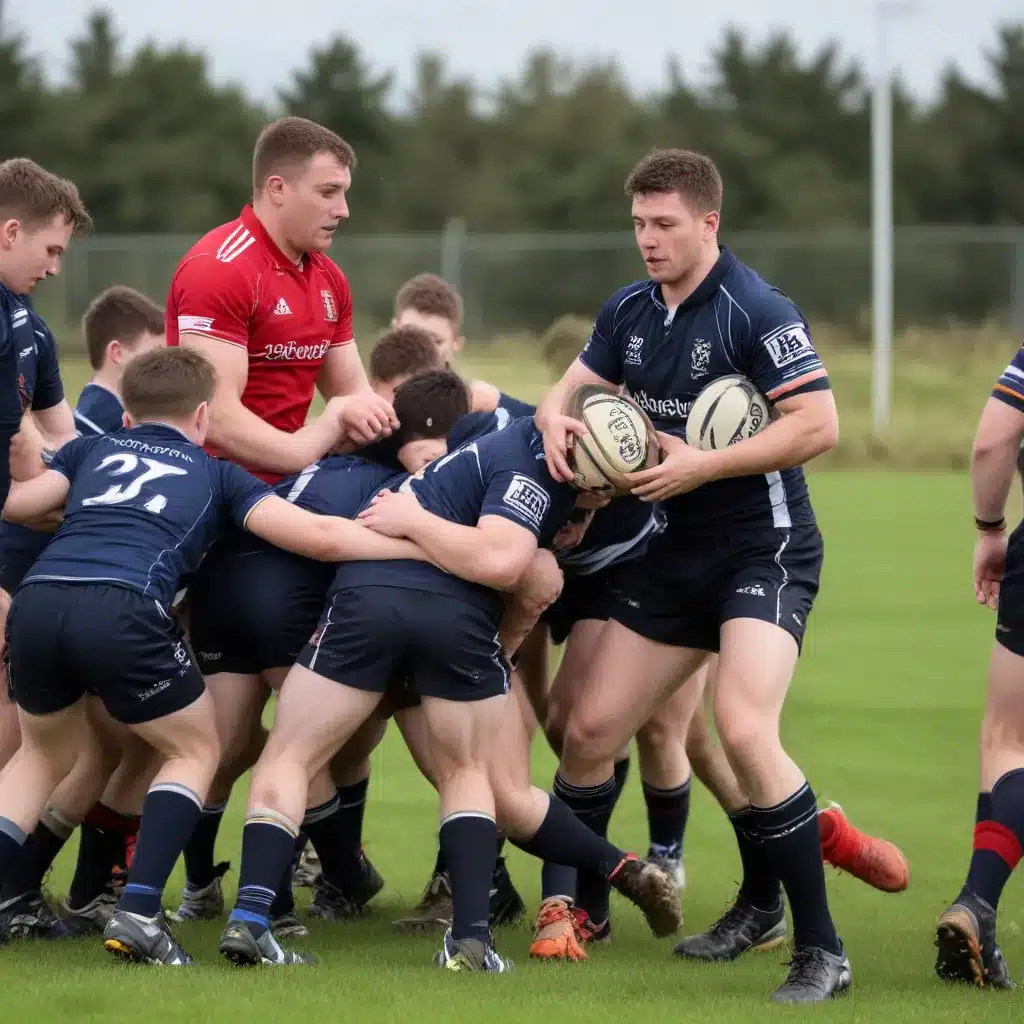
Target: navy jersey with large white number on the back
(145, 507)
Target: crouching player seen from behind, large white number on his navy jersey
(143, 508)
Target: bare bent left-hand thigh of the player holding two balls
(630, 676)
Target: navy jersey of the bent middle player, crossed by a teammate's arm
(502, 474)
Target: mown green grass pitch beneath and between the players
(884, 718)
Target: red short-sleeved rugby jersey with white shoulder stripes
(237, 286)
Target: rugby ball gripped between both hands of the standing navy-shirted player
(620, 440)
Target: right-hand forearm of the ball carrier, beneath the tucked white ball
(792, 441)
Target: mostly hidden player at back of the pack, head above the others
(431, 303)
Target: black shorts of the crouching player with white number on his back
(66, 641)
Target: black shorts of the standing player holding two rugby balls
(682, 590)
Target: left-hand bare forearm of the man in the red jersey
(245, 439)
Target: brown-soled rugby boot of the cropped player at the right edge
(966, 941)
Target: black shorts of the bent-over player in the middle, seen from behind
(389, 638)
